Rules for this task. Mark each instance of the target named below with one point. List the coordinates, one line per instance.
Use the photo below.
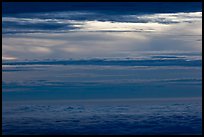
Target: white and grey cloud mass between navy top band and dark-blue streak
(27, 37)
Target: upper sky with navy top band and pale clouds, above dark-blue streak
(40, 31)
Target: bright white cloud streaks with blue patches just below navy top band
(65, 21)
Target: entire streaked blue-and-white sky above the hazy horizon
(101, 50)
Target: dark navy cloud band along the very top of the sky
(114, 7)
